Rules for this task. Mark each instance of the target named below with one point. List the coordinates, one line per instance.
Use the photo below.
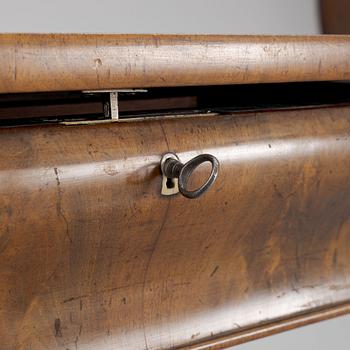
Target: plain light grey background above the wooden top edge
(161, 16)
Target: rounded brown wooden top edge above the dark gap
(61, 62)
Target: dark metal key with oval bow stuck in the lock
(172, 168)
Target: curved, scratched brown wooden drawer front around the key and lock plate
(92, 257)
